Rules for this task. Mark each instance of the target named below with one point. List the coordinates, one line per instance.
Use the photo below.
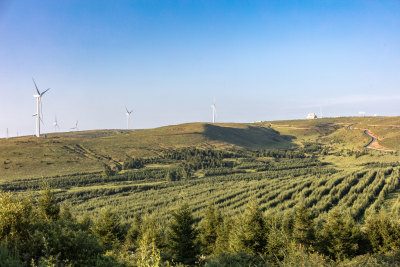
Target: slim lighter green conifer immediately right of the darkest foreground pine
(209, 229)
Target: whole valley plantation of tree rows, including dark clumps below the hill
(278, 181)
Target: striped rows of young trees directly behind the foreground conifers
(357, 193)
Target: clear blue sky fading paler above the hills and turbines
(167, 60)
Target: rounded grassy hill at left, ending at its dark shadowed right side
(87, 151)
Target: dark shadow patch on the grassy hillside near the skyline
(251, 137)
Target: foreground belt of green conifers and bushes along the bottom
(38, 232)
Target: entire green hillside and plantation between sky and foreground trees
(321, 164)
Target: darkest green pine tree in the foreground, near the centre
(182, 236)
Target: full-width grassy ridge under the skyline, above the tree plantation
(87, 151)
